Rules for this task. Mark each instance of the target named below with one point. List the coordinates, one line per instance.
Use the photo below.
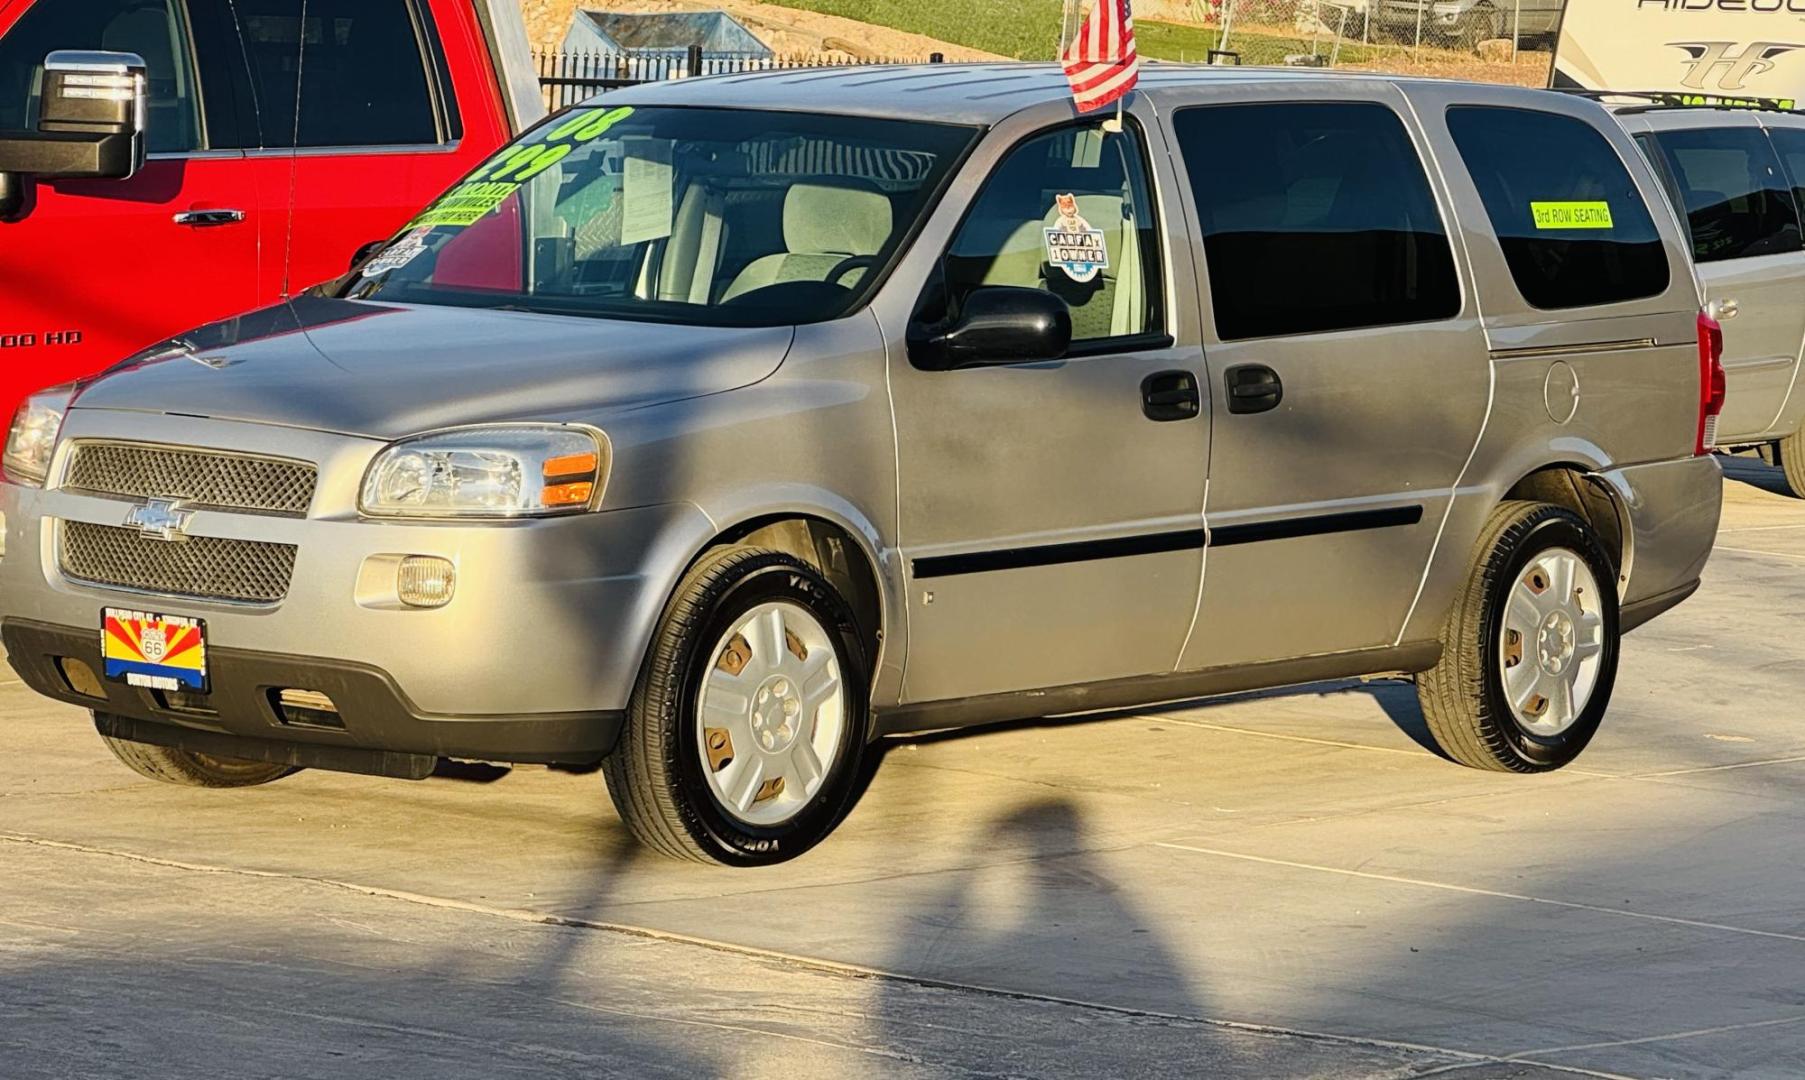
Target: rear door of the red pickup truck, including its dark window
(387, 106)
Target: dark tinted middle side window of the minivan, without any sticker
(1315, 218)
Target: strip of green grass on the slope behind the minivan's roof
(1030, 30)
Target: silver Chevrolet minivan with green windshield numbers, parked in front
(719, 429)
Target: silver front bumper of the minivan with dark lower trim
(533, 660)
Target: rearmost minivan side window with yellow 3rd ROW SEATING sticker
(1573, 225)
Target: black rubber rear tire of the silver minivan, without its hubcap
(1463, 696)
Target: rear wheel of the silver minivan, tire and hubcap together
(1530, 653)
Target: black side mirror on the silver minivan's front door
(995, 326)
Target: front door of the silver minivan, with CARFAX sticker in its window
(1051, 514)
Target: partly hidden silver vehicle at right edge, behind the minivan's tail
(1737, 176)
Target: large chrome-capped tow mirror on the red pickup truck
(91, 126)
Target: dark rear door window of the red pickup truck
(340, 73)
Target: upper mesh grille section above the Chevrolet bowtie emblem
(198, 478)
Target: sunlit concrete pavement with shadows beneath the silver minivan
(1270, 886)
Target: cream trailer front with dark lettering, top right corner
(1712, 51)
